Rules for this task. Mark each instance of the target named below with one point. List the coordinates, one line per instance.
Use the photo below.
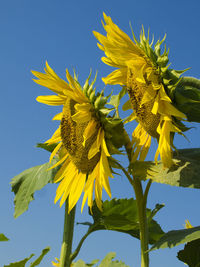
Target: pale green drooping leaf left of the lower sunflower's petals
(26, 183)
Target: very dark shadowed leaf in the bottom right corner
(191, 253)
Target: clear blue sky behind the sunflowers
(61, 33)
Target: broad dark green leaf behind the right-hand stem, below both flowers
(121, 215)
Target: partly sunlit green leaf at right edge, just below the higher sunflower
(185, 172)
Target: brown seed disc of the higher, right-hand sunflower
(146, 118)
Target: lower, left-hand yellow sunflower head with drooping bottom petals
(80, 139)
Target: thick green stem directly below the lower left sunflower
(66, 247)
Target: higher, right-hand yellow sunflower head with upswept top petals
(150, 85)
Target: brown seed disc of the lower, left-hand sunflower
(72, 138)
